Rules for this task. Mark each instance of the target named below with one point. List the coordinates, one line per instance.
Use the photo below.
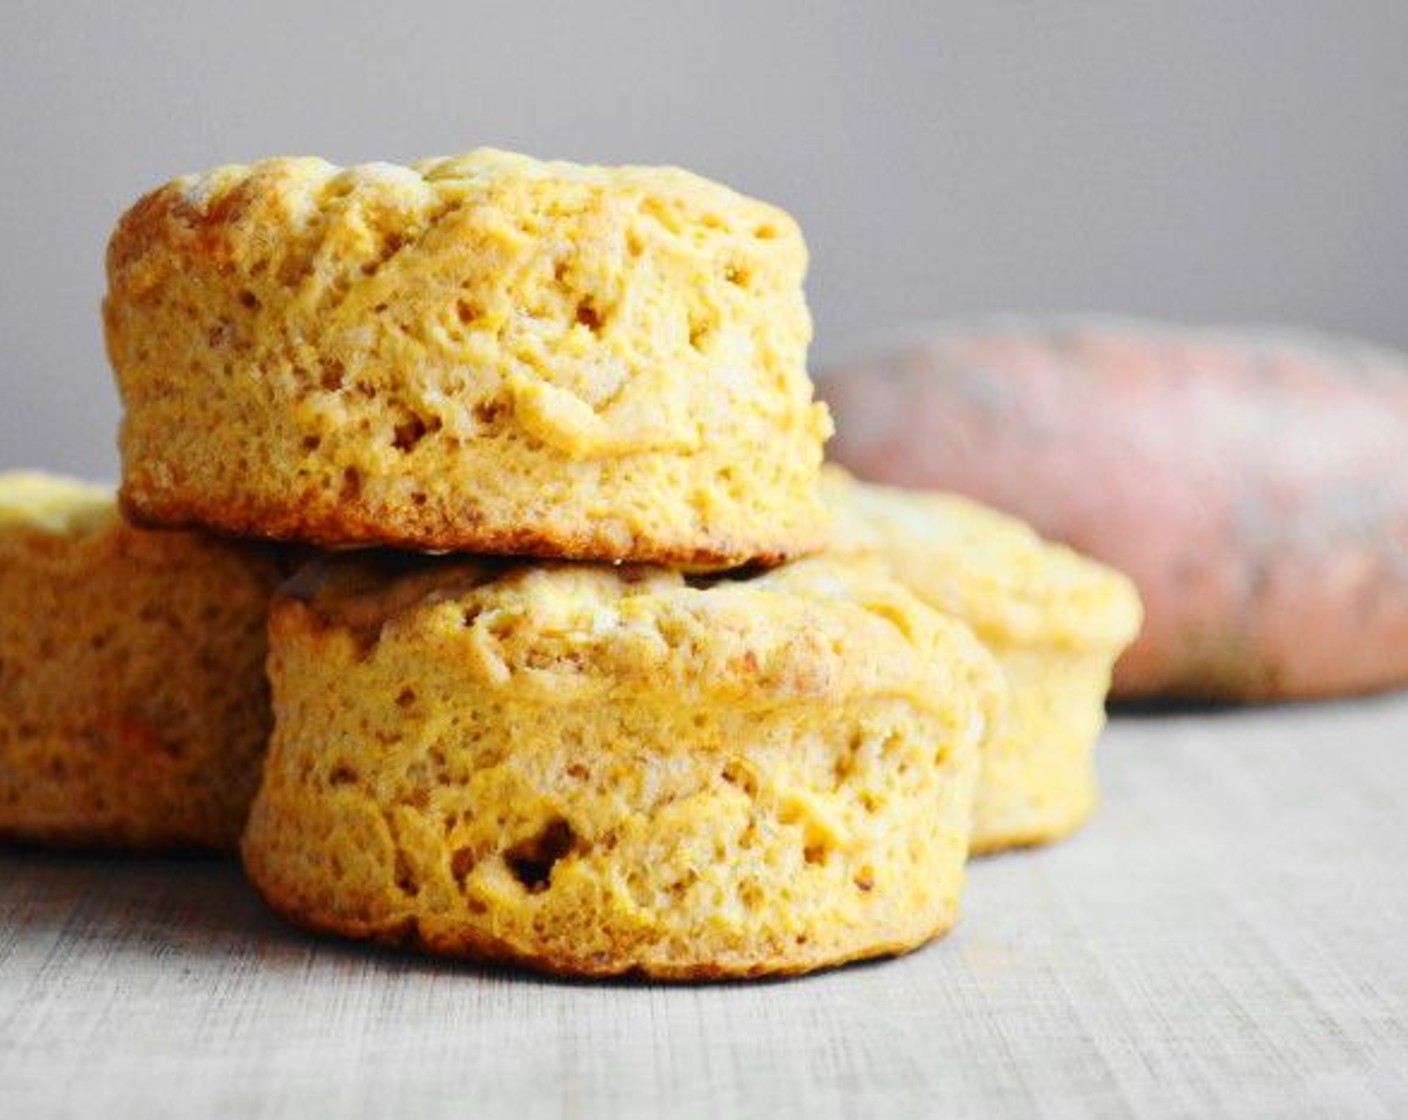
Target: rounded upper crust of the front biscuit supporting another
(813, 630)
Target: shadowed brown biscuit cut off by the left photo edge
(133, 701)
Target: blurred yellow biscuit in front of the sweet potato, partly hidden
(1055, 622)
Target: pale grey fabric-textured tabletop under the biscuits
(1230, 938)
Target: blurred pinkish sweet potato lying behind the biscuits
(1252, 484)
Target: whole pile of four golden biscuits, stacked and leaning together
(593, 694)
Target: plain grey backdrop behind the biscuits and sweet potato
(1202, 161)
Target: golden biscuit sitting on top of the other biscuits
(484, 353)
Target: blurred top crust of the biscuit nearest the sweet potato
(991, 570)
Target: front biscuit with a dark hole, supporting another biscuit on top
(599, 771)
